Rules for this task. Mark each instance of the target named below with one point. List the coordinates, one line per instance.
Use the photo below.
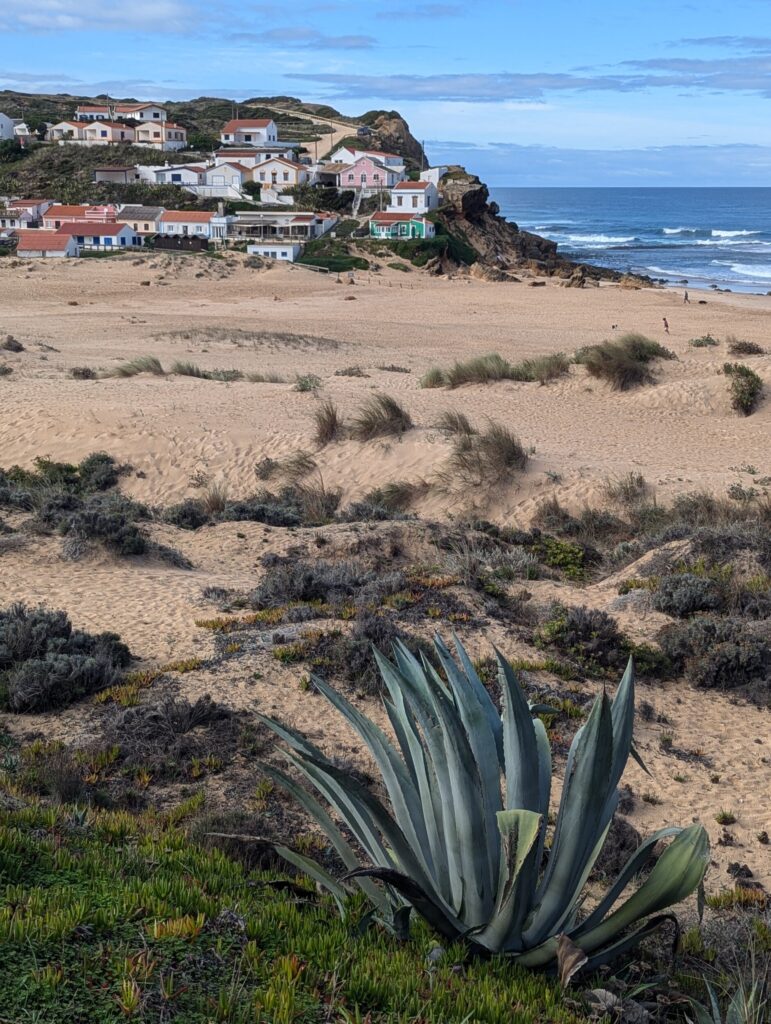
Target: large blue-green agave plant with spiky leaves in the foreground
(466, 842)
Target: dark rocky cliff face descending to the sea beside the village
(500, 245)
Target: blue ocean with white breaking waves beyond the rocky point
(710, 238)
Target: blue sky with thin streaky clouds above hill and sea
(662, 93)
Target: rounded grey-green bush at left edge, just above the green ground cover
(45, 663)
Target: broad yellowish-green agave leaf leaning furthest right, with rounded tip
(675, 876)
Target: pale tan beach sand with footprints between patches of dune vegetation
(680, 434)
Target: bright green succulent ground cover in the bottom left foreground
(108, 917)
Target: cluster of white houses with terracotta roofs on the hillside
(252, 172)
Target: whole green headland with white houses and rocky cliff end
(286, 180)
